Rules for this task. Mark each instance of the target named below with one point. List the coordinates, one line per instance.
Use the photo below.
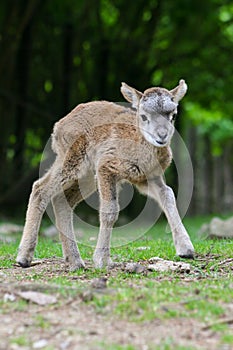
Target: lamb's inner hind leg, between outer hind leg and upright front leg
(63, 205)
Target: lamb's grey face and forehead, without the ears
(157, 111)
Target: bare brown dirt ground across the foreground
(75, 324)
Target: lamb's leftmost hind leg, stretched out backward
(42, 191)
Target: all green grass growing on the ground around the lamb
(203, 295)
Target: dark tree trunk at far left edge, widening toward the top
(18, 15)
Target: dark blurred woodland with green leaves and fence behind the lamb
(55, 54)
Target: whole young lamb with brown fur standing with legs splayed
(102, 144)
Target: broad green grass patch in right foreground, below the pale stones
(165, 299)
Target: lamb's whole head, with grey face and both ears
(156, 110)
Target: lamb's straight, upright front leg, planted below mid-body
(108, 214)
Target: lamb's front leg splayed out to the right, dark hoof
(166, 199)
